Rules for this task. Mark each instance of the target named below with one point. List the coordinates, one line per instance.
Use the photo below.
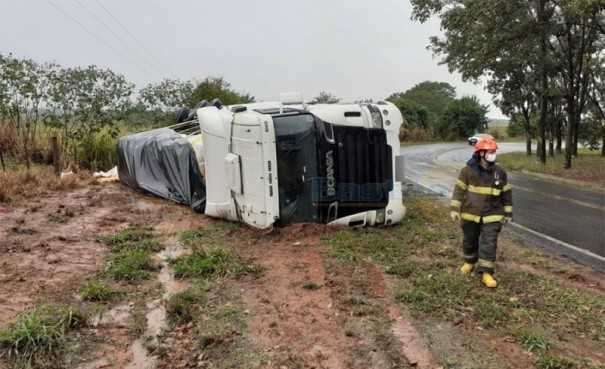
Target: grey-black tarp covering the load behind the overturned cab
(162, 163)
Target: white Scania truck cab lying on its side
(284, 162)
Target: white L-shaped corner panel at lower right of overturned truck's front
(391, 214)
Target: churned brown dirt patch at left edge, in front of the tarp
(49, 245)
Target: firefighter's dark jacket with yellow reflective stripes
(482, 194)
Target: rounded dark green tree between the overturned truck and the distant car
(463, 117)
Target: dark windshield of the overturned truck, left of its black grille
(296, 144)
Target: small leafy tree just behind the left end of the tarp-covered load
(87, 102)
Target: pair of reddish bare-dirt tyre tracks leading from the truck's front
(311, 324)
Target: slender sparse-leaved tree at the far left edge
(24, 88)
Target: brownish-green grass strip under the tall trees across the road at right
(586, 166)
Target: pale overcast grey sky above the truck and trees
(353, 49)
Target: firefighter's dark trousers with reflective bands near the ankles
(480, 243)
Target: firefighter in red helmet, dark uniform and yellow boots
(482, 202)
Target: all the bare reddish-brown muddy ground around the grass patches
(48, 247)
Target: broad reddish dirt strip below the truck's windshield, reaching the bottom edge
(286, 317)
